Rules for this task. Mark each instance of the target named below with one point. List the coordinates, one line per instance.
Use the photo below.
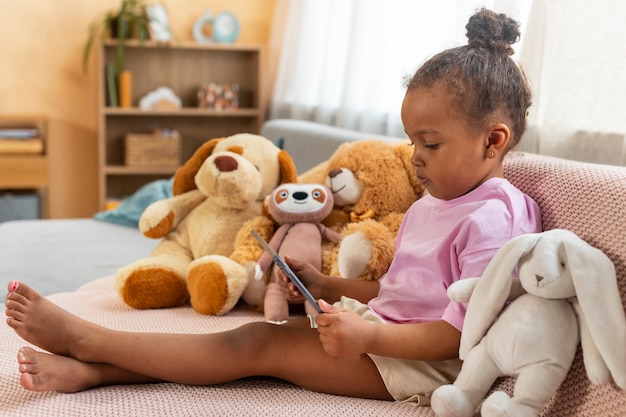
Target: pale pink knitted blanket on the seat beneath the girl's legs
(98, 302)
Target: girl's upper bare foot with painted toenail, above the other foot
(42, 323)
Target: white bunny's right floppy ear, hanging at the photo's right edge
(600, 304)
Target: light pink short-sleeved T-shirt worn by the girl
(443, 241)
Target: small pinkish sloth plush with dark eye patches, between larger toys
(299, 210)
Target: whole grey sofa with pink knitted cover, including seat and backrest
(74, 259)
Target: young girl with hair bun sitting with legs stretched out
(396, 338)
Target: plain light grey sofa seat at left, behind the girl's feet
(61, 255)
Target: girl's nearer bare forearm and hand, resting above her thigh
(344, 333)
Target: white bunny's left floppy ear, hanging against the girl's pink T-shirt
(492, 290)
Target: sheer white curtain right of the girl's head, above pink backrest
(575, 55)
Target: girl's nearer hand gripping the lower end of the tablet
(342, 332)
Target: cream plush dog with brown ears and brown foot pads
(219, 188)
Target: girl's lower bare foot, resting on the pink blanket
(45, 372)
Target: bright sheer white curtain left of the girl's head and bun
(344, 63)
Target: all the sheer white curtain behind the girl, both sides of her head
(343, 63)
